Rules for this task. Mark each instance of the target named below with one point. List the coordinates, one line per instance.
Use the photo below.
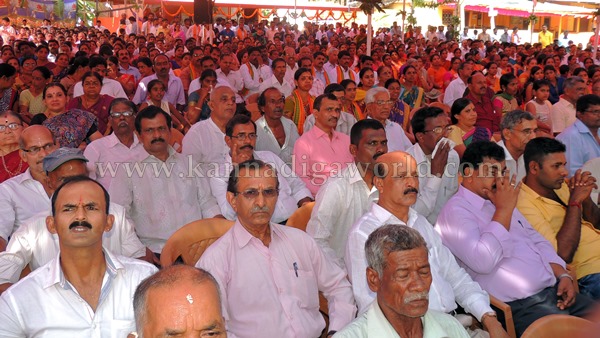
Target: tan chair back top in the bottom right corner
(558, 326)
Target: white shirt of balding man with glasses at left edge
(21, 197)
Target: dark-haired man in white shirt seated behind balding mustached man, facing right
(344, 198)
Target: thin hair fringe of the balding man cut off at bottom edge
(167, 277)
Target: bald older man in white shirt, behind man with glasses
(205, 143)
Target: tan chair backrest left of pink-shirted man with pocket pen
(192, 239)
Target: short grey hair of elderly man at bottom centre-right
(387, 239)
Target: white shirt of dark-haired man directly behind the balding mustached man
(340, 202)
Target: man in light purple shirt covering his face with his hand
(494, 242)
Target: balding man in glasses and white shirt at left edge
(25, 195)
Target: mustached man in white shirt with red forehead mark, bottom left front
(82, 279)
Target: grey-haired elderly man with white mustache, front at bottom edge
(399, 272)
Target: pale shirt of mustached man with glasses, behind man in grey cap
(106, 154)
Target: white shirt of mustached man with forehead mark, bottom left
(45, 304)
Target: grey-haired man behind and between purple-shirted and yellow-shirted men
(517, 129)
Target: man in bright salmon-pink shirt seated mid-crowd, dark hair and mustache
(322, 151)
